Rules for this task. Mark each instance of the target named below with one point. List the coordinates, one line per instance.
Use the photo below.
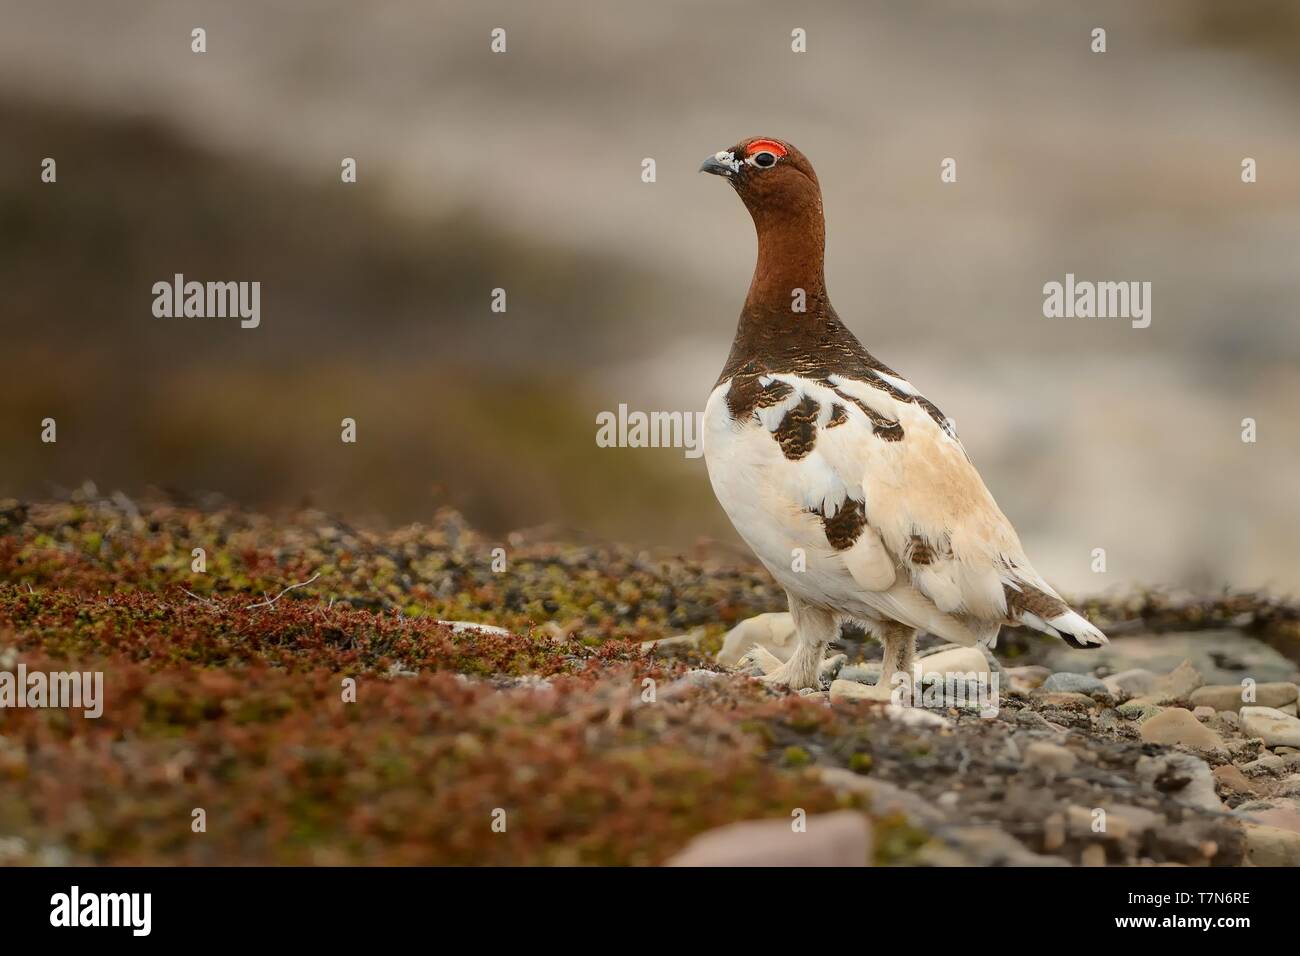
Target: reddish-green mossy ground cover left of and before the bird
(226, 694)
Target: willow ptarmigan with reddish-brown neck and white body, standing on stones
(848, 485)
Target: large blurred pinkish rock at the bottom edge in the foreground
(831, 840)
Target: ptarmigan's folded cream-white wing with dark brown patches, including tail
(933, 547)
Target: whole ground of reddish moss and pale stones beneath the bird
(327, 695)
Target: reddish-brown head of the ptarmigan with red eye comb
(770, 175)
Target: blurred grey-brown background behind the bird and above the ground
(523, 171)
